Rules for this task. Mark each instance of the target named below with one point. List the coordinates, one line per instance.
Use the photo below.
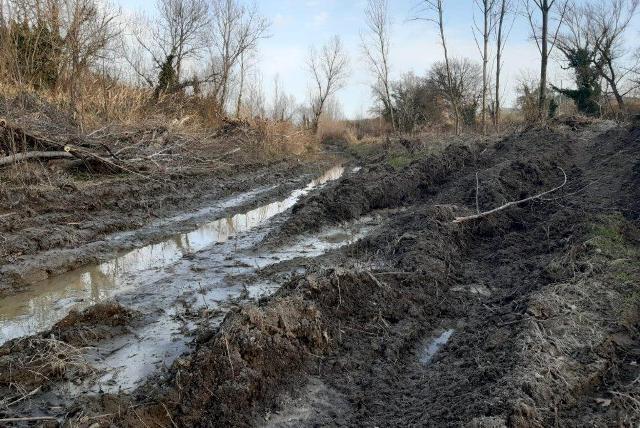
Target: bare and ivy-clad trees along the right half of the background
(586, 37)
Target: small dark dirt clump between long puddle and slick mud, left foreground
(101, 321)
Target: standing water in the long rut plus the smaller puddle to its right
(39, 307)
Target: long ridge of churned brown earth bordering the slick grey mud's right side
(259, 350)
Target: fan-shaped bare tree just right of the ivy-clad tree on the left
(236, 31)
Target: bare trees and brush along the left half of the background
(196, 55)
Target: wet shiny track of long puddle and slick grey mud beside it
(209, 269)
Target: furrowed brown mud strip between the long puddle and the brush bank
(47, 230)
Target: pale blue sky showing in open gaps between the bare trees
(299, 24)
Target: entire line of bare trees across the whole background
(201, 55)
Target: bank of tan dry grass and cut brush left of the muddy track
(178, 134)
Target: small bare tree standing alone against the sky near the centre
(329, 69)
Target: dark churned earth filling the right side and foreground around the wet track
(528, 317)
